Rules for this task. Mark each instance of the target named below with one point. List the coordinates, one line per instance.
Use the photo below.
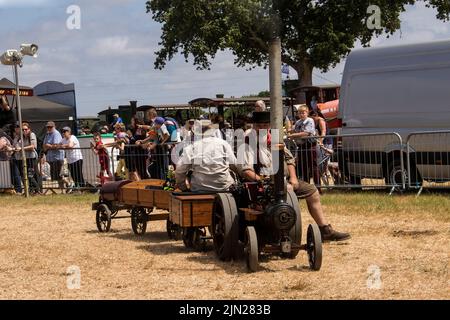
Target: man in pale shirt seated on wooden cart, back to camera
(209, 160)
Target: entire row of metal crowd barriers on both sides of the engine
(360, 161)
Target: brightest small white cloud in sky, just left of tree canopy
(116, 46)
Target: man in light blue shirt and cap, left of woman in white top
(54, 153)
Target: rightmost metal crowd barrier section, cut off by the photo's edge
(428, 160)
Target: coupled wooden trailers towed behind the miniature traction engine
(188, 215)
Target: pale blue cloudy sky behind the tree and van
(110, 58)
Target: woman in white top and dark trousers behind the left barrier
(74, 157)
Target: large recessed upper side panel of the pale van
(406, 98)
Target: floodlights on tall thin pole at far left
(14, 58)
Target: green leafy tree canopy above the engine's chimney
(314, 34)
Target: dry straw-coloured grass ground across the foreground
(399, 250)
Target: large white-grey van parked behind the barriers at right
(401, 89)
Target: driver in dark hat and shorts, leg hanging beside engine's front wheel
(258, 163)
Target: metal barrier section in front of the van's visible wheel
(375, 160)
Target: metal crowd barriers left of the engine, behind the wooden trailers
(86, 172)
